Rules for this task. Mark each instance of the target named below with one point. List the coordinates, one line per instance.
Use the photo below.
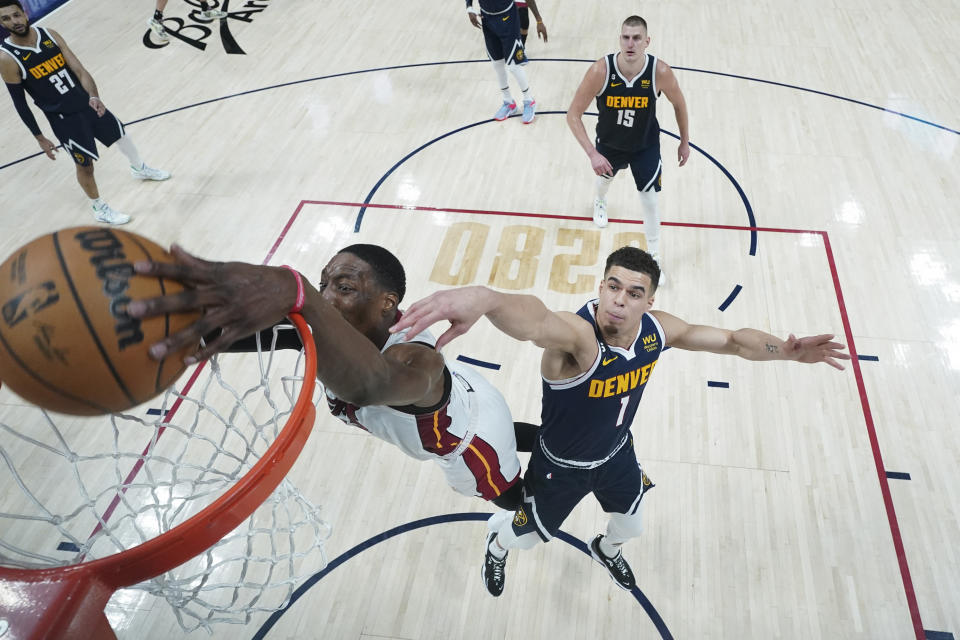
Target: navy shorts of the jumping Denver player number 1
(551, 492)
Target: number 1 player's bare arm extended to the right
(751, 344)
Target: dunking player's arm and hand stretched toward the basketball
(240, 299)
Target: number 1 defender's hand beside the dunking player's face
(461, 307)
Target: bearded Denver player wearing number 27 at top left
(37, 61)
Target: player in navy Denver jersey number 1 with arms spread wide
(595, 365)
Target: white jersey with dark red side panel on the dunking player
(423, 432)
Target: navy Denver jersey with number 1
(587, 419)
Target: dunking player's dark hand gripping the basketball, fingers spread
(235, 297)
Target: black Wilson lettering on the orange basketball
(114, 271)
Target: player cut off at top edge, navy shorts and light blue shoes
(500, 24)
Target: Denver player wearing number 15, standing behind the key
(626, 86)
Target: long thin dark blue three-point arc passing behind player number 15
(343, 74)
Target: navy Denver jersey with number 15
(628, 107)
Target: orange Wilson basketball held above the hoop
(66, 342)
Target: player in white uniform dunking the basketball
(403, 392)
